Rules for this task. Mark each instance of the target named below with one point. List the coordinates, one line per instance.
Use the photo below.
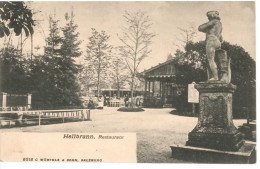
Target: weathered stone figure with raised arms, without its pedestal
(213, 30)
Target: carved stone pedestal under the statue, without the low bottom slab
(215, 128)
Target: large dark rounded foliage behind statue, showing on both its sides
(243, 70)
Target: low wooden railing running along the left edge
(80, 114)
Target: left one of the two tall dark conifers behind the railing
(45, 71)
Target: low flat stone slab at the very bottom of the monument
(245, 155)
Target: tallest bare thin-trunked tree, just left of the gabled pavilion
(136, 40)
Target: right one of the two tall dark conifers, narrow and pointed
(69, 50)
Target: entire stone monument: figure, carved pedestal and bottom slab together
(215, 129)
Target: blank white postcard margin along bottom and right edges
(23, 165)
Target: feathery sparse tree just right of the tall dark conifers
(98, 57)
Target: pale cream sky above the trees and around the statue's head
(238, 20)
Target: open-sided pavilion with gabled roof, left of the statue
(161, 87)
